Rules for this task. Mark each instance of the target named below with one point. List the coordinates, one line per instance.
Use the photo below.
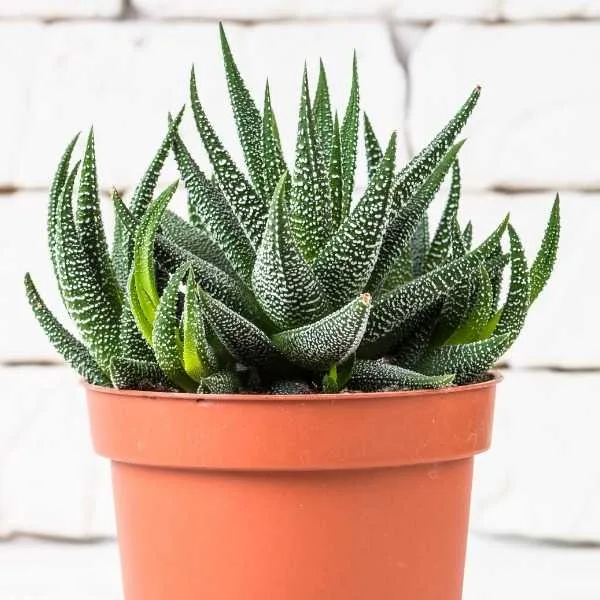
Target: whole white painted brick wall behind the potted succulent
(121, 65)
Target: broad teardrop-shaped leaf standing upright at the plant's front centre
(283, 282)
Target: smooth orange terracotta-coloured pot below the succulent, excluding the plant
(325, 497)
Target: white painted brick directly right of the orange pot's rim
(541, 478)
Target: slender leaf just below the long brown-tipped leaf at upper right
(406, 221)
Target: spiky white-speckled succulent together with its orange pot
(292, 384)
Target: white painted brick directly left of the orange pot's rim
(51, 483)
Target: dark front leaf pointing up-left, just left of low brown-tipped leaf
(242, 339)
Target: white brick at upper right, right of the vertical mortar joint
(536, 126)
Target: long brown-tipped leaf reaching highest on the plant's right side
(421, 166)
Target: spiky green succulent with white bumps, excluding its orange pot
(284, 279)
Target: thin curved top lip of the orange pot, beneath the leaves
(495, 378)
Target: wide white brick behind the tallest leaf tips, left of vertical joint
(126, 87)
